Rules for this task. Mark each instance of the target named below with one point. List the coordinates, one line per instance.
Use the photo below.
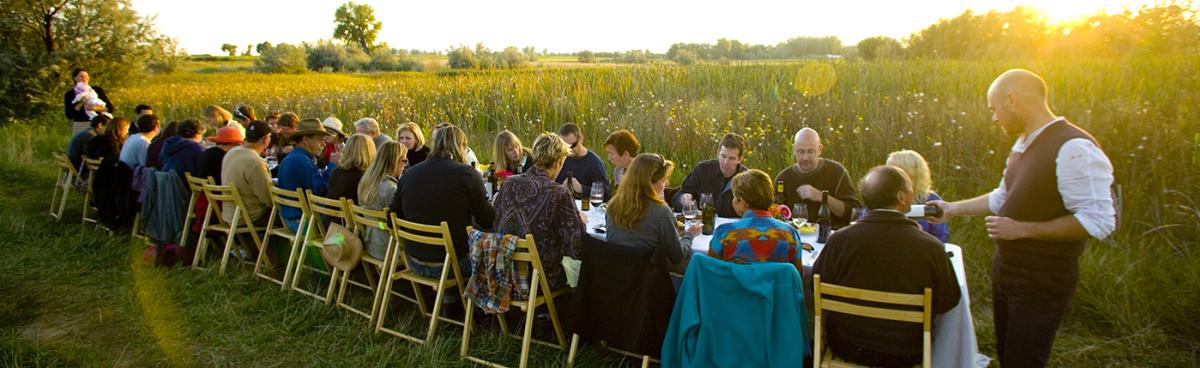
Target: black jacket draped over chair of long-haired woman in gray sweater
(625, 298)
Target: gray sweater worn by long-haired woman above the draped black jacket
(656, 231)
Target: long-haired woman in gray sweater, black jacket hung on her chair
(640, 218)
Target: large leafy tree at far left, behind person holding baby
(45, 39)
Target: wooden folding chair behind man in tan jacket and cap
(221, 197)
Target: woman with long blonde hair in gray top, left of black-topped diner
(379, 186)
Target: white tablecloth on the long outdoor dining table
(955, 340)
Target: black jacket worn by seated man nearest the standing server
(886, 252)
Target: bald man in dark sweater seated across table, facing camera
(813, 174)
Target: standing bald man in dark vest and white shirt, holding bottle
(1055, 195)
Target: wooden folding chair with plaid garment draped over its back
(525, 257)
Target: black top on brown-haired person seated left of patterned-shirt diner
(442, 190)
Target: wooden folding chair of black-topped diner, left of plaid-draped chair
(451, 279)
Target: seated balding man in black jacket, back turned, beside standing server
(885, 251)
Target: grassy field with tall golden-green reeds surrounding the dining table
(1138, 298)
